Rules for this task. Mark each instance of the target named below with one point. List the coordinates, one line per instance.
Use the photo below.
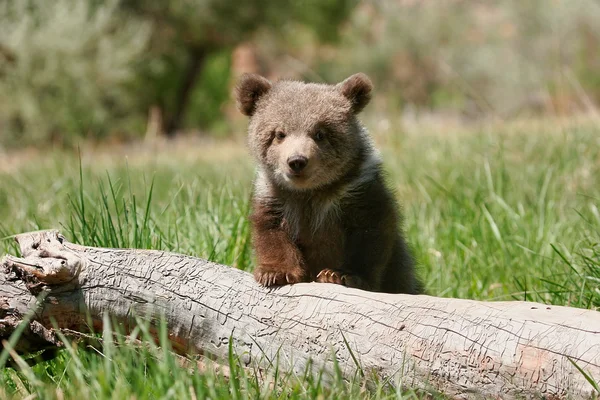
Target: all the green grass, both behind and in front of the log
(503, 213)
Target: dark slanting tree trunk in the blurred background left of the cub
(197, 57)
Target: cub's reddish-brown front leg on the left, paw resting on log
(280, 261)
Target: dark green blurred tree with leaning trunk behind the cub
(188, 33)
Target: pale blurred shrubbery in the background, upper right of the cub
(501, 58)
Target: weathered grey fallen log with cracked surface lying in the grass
(463, 348)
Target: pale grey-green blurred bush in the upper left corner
(66, 69)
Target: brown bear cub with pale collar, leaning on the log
(321, 210)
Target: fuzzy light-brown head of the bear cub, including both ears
(304, 135)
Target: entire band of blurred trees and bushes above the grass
(94, 68)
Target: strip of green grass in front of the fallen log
(115, 366)
